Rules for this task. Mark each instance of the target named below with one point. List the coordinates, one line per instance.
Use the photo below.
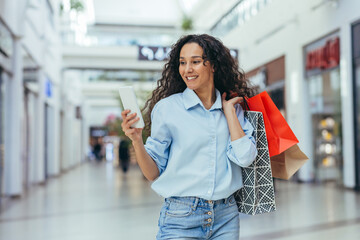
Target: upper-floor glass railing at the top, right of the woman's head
(240, 14)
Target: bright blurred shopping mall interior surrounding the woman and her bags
(62, 148)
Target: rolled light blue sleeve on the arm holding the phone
(158, 144)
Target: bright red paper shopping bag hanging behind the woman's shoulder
(278, 133)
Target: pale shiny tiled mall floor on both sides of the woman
(97, 201)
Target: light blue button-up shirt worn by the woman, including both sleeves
(193, 150)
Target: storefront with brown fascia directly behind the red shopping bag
(270, 77)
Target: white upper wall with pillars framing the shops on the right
(298, 23)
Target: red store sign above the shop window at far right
(324, 57)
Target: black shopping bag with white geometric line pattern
(257, 195)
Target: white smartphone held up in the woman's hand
(128, 98)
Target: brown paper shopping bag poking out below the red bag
(285, 164)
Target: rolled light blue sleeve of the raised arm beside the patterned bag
(243, 151)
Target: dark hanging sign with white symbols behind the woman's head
(150, 53)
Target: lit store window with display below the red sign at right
(325, 108)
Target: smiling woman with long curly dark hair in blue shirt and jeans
(199, 140)
